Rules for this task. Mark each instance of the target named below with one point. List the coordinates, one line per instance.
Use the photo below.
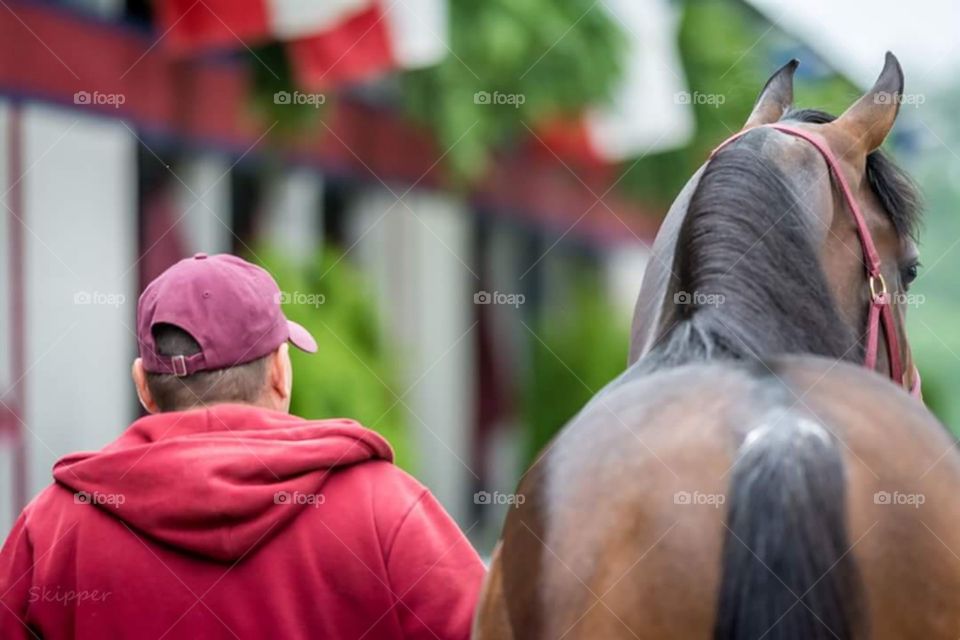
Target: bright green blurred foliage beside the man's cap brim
(351, 375)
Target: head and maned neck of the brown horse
(762, 250)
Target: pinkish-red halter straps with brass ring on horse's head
(881, 311)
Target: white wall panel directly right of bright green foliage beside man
(420, 258)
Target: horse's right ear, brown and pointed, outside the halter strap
(866, 124)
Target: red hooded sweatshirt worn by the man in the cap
(237, 522)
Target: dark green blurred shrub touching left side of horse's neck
(581, 347)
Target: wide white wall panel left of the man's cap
(79, 194)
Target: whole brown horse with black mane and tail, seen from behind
(721, 487)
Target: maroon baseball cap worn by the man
(229, 306)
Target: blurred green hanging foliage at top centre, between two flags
(558, 57)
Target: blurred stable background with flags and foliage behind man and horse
(456, 196)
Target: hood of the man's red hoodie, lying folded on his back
(218, 481)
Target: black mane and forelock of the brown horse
(750, 277)
